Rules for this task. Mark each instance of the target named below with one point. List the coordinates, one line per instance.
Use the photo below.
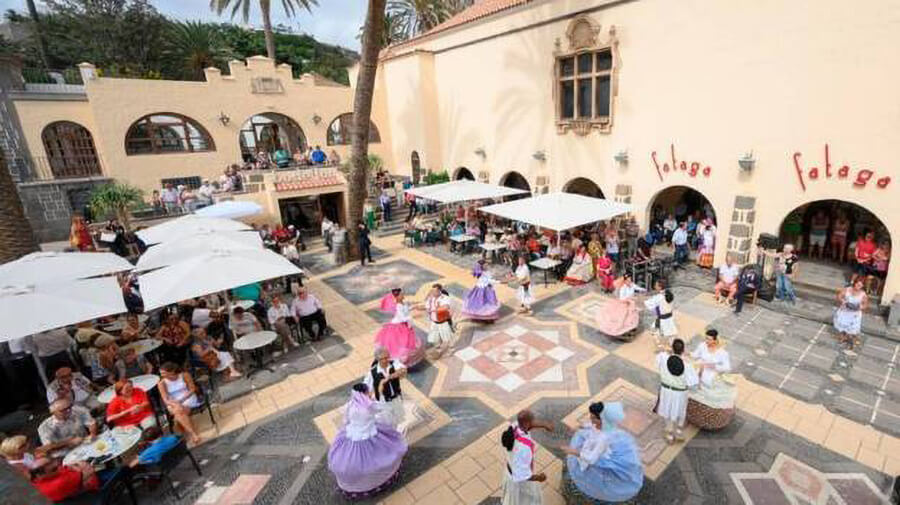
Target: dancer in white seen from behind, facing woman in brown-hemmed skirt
(675, 378)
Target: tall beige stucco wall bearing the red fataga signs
(716, 79)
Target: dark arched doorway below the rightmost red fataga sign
(826, 233)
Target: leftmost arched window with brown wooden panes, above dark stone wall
(70, 150)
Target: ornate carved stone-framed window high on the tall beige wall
(585, 78)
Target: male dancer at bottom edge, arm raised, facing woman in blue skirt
(521, 485)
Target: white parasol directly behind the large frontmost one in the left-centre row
(201, 242)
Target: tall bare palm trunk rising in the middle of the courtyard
(362, 112)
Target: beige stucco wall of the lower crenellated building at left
(114, 104)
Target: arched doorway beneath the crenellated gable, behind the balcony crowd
(271, 132)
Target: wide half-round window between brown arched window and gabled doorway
(167, 133)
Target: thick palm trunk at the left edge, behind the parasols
(16, 237)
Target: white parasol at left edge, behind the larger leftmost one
(44, 267)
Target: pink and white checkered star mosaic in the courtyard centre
(512, 363)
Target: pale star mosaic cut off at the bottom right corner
(791, 482)
